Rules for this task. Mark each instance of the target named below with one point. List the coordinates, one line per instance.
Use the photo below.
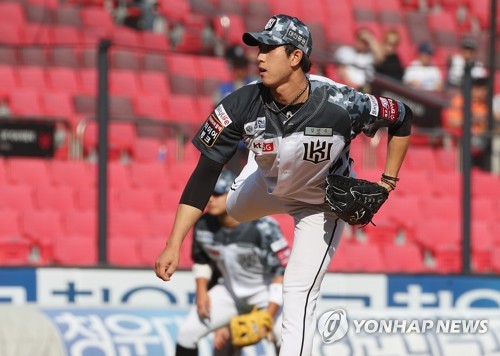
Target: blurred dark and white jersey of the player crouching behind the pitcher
(248, 256)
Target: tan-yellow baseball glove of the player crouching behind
(248, 329)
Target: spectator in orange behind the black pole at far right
(453, 118)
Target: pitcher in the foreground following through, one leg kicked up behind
(299, 129)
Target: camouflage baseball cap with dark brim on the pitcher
(282, 29)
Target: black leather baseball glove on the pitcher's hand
(355, 201)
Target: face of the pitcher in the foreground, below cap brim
(274, 65)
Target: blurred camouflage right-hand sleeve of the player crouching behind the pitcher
(275, 245)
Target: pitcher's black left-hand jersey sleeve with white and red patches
(220, 134)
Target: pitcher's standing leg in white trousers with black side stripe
(317, 235)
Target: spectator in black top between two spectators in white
(390, 64)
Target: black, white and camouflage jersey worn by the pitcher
(295, 153)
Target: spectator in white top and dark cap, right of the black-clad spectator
(421, 73)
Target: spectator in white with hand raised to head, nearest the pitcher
(355, 64)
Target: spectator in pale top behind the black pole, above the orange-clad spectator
(456, 63)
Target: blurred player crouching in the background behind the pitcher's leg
(251, 258)
